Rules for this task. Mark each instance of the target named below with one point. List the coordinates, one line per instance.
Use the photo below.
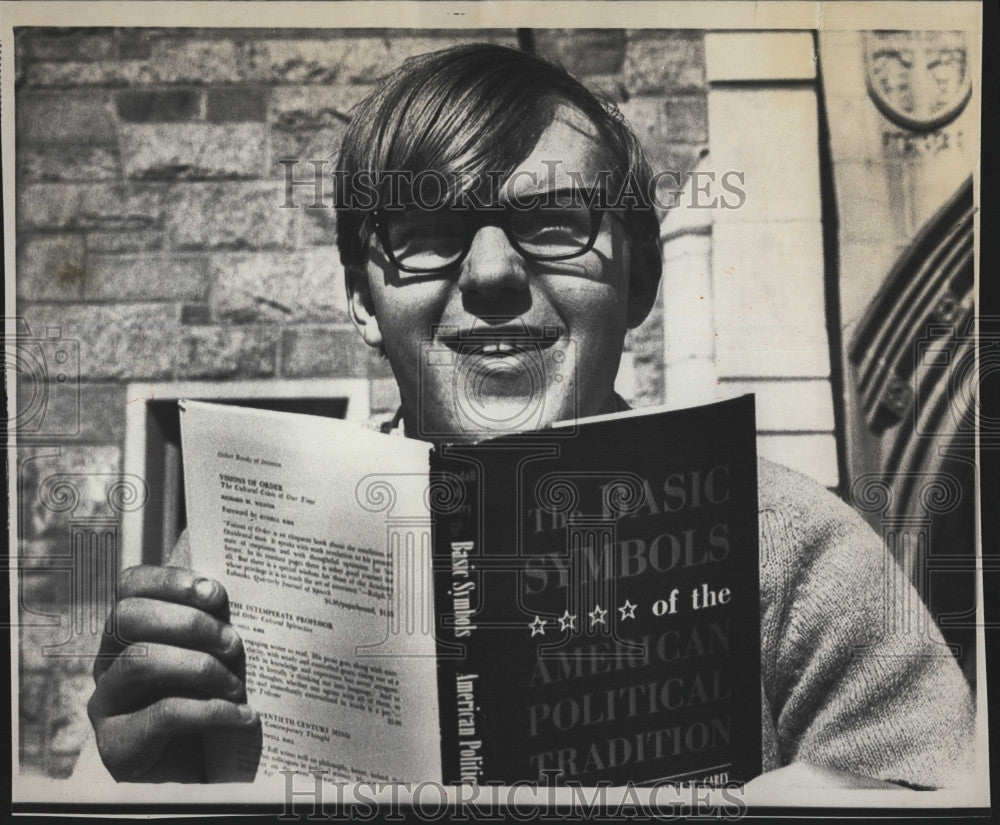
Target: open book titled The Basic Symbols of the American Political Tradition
(576, 604)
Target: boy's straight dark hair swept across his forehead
(470, 110)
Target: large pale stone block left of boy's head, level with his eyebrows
(219, 216)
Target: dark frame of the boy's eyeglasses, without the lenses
(501, 216)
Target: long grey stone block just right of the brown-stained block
(146, 277)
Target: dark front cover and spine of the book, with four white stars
(597, 601)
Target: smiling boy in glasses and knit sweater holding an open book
(481, 203)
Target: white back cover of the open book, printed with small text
(294, 515)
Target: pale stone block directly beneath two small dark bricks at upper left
(186, 151)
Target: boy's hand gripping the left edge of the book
(170, 667)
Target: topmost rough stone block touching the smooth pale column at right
(666, 63)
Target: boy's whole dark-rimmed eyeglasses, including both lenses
(551, 226)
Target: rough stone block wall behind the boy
(151, 242)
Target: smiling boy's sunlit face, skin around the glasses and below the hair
(505, 343)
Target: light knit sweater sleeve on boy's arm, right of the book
(856, 674)
